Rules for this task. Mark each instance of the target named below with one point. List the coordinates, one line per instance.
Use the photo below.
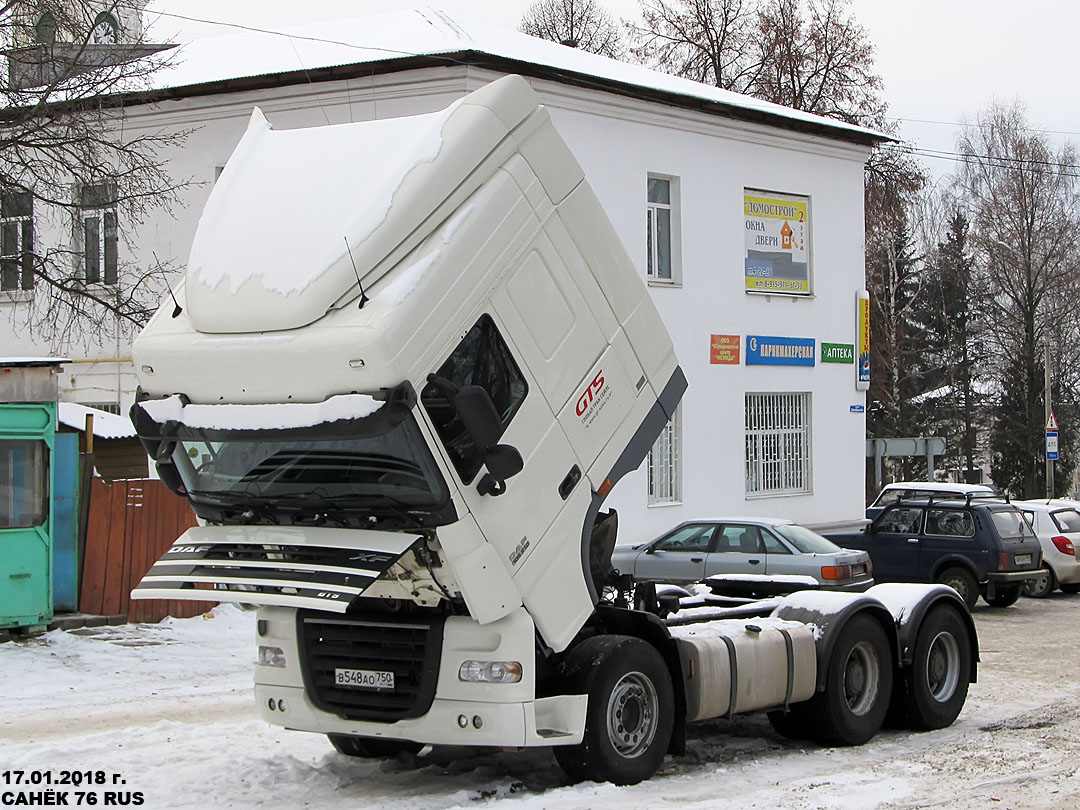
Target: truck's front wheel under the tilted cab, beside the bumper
(631, 710)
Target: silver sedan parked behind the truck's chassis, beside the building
(747, 557)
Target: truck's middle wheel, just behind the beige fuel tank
(858, 686)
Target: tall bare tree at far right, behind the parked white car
(1024, 210)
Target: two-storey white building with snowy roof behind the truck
(713, 193)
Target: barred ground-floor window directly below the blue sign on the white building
(778, 444)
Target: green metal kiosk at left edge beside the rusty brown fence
(29, 394)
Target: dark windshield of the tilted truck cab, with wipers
(343, 478)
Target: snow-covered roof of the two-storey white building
(431, 33)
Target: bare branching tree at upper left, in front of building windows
(74, 181)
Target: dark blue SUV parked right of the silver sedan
(976, 546)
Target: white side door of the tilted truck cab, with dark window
(516, 521)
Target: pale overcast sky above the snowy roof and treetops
(942, 61)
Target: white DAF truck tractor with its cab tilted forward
(408, 363)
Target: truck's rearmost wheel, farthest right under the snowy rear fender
(937, 682)
